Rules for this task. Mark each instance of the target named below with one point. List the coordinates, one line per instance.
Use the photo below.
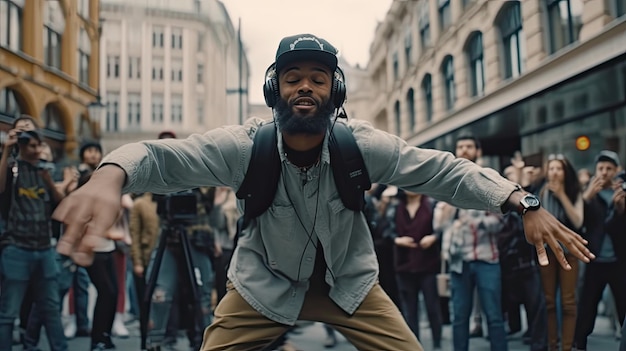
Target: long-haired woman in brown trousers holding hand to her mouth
(561, 196)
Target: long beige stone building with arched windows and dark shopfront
(532, 75)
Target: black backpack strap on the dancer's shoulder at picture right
(351, 176)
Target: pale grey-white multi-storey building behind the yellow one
(169, 65)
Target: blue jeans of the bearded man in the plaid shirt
(487, 280)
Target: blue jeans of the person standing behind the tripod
(168, 285)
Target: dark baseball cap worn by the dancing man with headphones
(302, 47)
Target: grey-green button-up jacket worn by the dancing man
(275, 255)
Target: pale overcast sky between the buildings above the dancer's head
(347, 24)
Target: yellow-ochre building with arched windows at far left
(49, 64)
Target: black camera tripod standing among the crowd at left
(192, 278)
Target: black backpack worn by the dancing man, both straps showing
(261, 180)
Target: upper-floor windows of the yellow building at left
(11, 22)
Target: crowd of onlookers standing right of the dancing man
(489, 270)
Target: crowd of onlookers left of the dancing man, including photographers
(36, 280)
